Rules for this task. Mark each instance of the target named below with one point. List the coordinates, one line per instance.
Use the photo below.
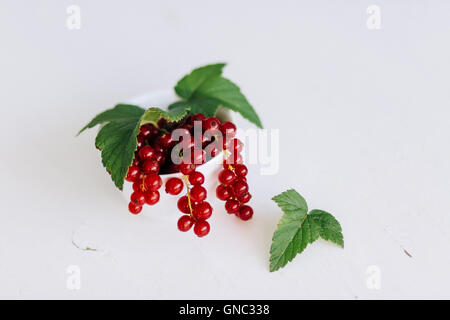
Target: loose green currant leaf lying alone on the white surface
(297, 229)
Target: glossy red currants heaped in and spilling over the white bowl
(180, 147)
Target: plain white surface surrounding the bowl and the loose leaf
(364, 124)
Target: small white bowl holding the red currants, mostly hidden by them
(166, 208)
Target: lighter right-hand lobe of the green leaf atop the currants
(228, 95)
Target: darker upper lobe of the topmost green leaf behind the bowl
(189, 83)
